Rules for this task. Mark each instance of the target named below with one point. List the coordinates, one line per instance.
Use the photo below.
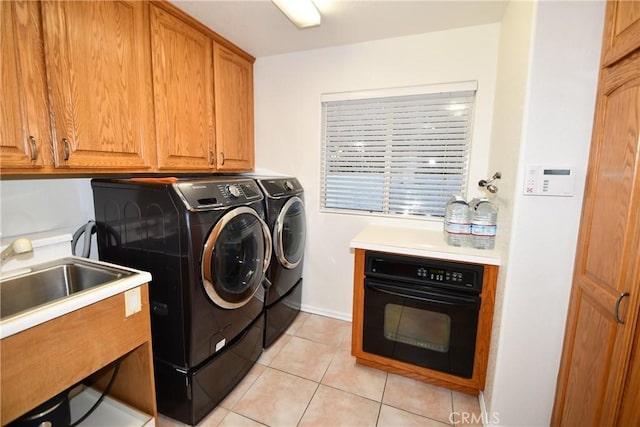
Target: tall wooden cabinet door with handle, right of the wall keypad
(606, 284)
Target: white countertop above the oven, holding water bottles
(419, 242)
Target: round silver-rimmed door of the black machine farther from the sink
(290, 232)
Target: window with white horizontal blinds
(404, 153)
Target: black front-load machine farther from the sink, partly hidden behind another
(284, 202)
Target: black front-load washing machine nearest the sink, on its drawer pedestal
(207, 247)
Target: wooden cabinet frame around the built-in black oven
(472, 385)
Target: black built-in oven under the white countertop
(422, 311)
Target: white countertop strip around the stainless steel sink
(28, 319)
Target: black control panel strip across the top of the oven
(425, 271)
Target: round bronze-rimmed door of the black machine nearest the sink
(235, 258)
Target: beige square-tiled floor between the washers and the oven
(309, 378)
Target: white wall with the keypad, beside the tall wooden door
(556, 130)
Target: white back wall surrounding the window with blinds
(288, 134)
